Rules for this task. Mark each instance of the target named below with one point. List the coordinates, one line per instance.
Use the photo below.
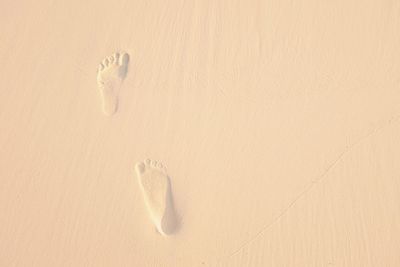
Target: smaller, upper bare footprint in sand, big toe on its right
(110, 75)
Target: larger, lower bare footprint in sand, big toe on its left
(156, 189)
